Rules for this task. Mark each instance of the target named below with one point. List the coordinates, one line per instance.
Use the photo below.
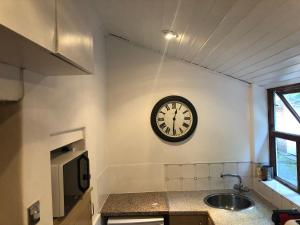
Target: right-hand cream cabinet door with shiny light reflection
(74, 33)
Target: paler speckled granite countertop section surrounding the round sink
(260, 214)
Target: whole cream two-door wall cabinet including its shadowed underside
(51, 37)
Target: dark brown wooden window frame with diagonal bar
(280, 91)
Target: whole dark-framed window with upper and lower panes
(284, 132)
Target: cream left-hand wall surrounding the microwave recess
(51, 104)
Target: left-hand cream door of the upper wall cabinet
(33, 19)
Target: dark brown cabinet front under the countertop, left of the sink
(189, 219)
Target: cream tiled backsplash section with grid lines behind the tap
(206, 176)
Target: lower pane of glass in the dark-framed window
(286, 160)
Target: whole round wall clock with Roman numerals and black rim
(174, 118)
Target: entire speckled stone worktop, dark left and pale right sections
(178, 203)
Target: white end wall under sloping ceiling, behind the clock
(137, 79)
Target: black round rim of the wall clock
(156, 109)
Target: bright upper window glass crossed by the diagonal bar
(284, 119)
